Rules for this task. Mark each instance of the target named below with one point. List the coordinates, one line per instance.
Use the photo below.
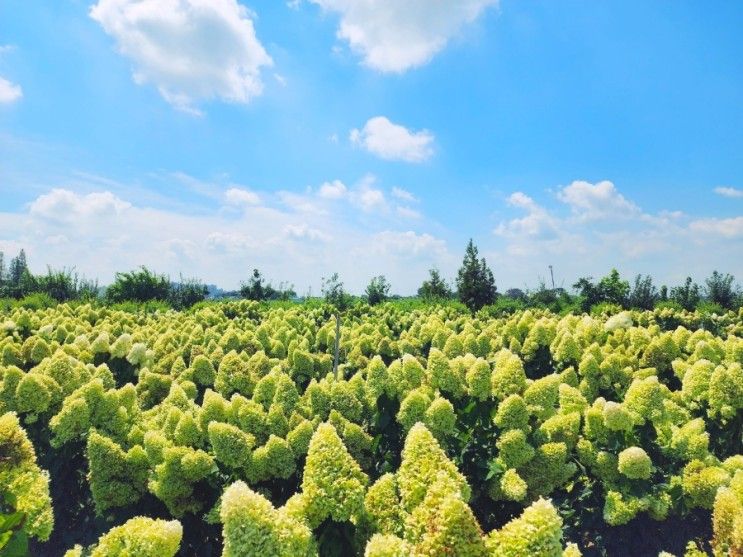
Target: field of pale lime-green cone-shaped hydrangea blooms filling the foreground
(226, 430)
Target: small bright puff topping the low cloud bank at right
(596, 201)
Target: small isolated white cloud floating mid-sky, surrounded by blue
(393, 142)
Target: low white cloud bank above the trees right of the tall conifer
(594, 227)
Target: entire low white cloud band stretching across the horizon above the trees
(103, 232)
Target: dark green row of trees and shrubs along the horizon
(474, 286)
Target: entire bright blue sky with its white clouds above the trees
(208, 137)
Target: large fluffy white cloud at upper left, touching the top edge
(191, 50)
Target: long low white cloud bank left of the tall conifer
(102, 232)
